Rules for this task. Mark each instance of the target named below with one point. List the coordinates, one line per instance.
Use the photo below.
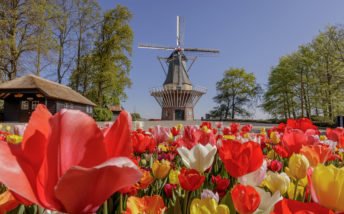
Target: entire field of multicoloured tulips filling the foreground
(65, 163)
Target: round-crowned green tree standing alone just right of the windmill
(236, 89)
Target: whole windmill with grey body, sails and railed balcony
(177, 97)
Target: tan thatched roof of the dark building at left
(49, 88)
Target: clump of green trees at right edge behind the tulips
(309, 82)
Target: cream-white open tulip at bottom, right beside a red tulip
(267, 201)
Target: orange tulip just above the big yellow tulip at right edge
(316, 154)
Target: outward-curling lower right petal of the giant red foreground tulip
(82, 190)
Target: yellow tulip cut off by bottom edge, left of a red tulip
(207, 206)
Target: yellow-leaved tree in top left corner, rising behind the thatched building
(20, 22)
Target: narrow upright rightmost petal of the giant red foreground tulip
(117, 139)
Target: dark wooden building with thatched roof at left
(22, 95)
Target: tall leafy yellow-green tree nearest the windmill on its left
(111, 65)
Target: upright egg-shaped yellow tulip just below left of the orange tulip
(298, 165)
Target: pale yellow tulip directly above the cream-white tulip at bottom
(274, 181)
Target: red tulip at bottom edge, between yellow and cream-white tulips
(245, 199)
